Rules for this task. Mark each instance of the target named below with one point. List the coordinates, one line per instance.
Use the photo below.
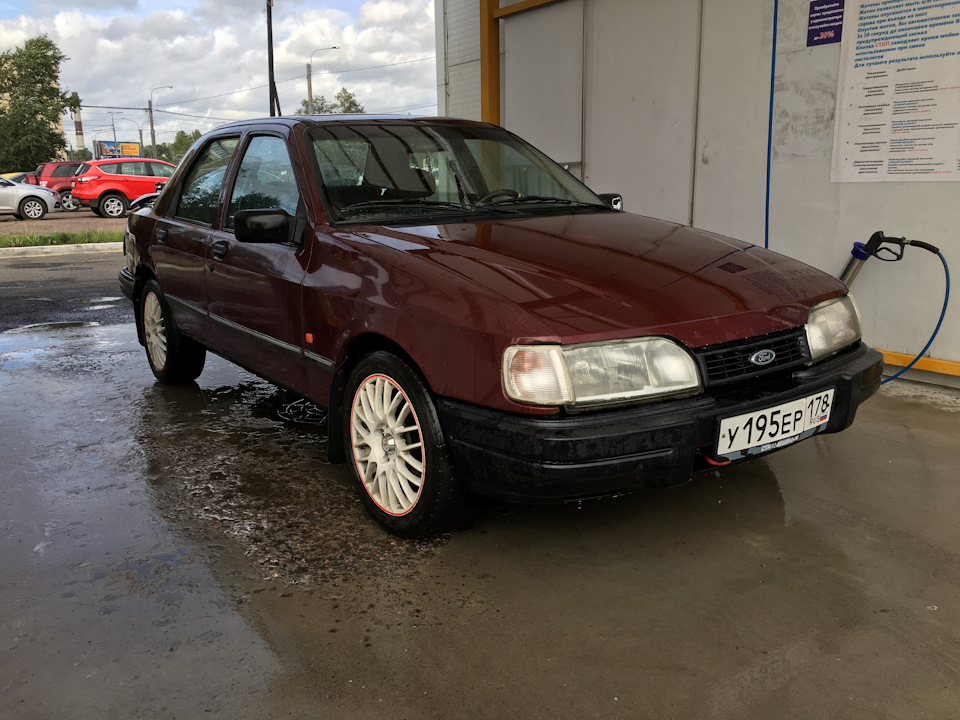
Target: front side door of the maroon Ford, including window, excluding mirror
(254, 289)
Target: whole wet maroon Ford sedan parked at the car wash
(477, 320)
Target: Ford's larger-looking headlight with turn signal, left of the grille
(598, 373)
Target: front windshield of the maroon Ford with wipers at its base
(407, 171)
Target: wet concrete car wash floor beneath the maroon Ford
(185, 552)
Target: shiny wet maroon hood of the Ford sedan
(592, 277)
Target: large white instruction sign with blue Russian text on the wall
(898, 102)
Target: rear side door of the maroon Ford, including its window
(182, 238)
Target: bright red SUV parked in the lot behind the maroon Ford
(109, 186)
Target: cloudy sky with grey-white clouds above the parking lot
(214, 54)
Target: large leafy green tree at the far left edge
(30, 120)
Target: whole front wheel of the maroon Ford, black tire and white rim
(401, 467)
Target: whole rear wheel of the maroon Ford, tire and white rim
(174, 358)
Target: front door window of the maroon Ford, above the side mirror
(265, 179)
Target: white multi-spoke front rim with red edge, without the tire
(387, 444)
